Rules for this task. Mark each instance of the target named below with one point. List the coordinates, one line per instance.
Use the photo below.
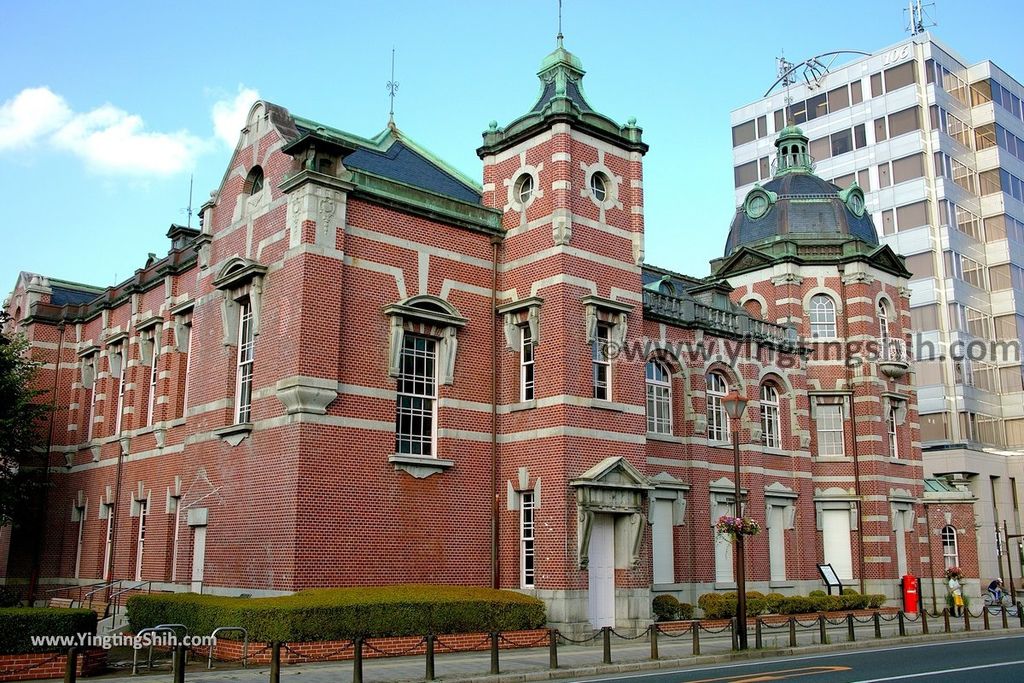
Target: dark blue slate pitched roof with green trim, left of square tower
(394, 155)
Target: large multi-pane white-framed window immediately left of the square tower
(416, 404)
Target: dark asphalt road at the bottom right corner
(995, 660)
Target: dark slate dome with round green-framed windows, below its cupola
(806, 205)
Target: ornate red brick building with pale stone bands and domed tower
(367, 369)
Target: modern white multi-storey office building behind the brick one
(937, 146)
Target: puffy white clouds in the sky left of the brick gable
(111, 141)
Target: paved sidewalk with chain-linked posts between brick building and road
(574, 661)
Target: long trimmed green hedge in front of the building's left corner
(342, 614)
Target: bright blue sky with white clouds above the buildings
(107, 108)
